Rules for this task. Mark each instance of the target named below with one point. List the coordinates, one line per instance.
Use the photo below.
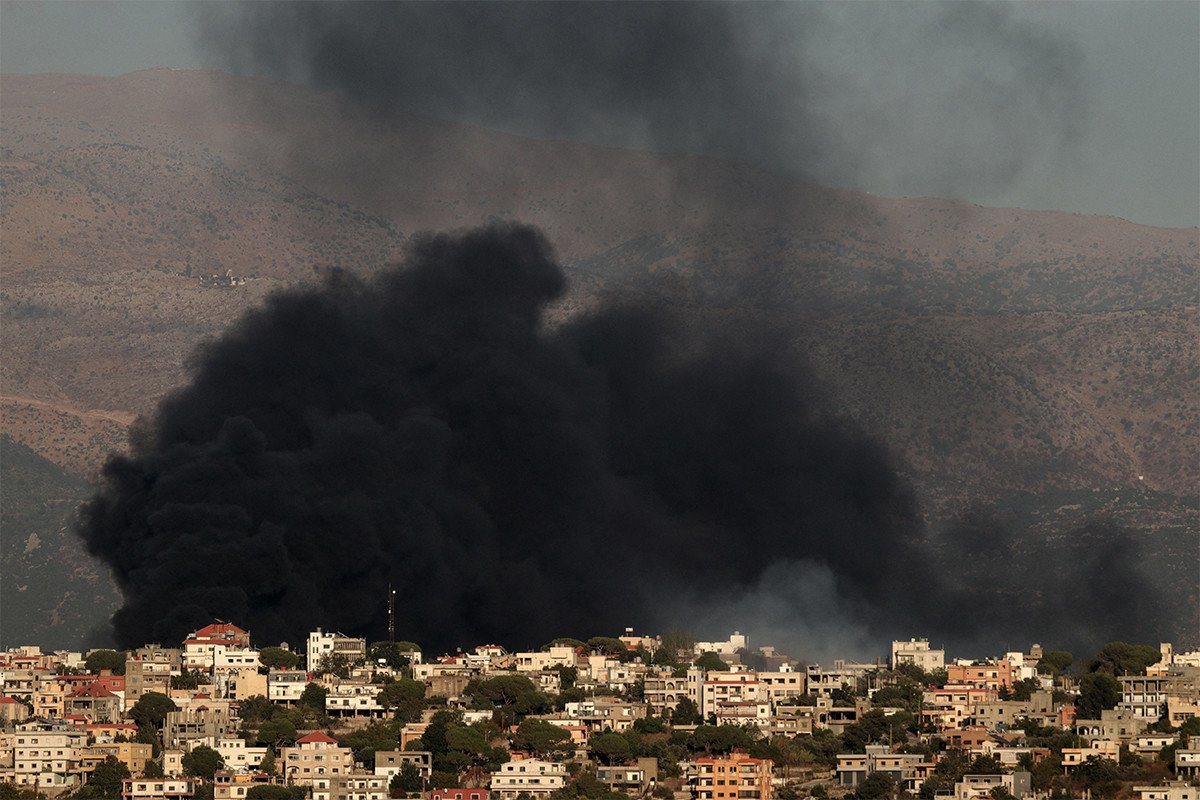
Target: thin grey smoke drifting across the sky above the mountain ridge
(896, 98)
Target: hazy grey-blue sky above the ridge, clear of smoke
(1136, 153)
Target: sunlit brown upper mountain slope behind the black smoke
(994, 348)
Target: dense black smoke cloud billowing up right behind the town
(427, 431)
